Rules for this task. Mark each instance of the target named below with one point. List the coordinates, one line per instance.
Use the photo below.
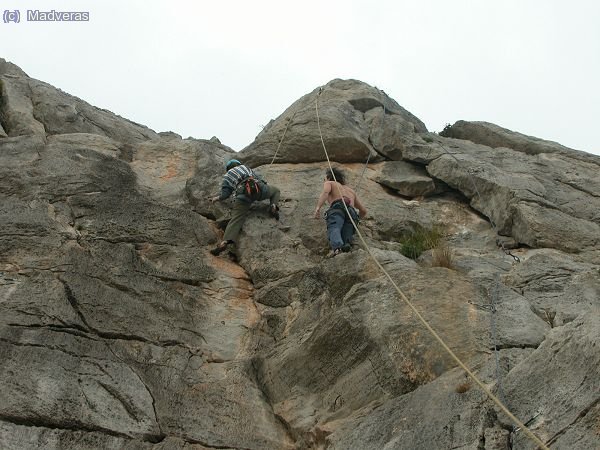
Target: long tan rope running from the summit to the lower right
(416, 312)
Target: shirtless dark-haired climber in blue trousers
(340, 230)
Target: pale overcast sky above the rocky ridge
(225, 68)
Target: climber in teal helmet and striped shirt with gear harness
(248, 187)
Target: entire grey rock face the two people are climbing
(118, 329)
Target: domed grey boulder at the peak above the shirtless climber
(347, 113)
